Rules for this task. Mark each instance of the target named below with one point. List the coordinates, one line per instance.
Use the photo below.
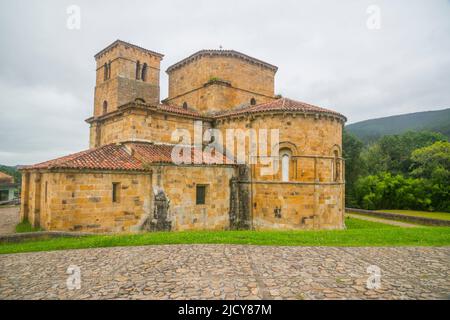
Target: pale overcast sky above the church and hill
(325, 52)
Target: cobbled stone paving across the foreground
(228, 272)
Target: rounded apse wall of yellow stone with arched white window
(313, 198)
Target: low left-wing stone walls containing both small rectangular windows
(77, 201)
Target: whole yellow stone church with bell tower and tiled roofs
(128, 181)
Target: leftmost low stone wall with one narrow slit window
(76, 201)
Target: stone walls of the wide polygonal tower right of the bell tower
(246, 80)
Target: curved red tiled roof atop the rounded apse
(283, 104)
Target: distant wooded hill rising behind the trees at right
(370, 130)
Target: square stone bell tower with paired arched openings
(124, 73)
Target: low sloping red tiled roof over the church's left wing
(129, 156)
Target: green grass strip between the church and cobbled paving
(358, 233)
